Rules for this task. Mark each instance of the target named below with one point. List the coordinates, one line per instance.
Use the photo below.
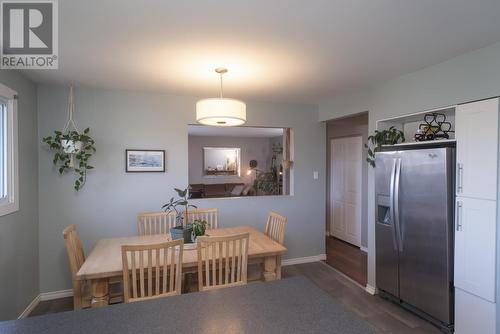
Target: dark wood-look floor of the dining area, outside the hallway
(382, 315)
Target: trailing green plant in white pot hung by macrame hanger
(72, 149)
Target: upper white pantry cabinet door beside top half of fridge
(476, 132)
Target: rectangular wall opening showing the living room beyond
(239, 161)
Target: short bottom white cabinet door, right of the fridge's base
(473, 315)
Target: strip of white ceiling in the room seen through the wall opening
(234, 131)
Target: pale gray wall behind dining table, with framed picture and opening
(108, 203)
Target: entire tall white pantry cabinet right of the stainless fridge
(476, 126)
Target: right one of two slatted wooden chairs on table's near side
(222, 261)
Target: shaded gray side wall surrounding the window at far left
(19, 230)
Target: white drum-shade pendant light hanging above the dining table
(221, 111)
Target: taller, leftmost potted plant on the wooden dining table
(180, 206)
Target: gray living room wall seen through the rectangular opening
(250, 148)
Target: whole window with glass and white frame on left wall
(9, 183)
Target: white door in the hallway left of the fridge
(345, 188)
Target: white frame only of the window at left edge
(11, 203)
